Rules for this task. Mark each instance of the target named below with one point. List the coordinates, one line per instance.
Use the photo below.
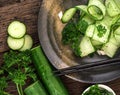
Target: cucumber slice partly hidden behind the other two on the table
(27, 43)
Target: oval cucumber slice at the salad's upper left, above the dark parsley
(68, 15)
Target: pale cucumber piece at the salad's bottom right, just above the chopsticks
(110, 49)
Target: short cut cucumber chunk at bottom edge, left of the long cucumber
(35, 89)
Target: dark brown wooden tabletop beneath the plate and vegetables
(27, 12)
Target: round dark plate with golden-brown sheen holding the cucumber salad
(49, 30)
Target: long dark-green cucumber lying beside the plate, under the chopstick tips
(52, 83)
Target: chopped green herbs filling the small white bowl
(96, 90)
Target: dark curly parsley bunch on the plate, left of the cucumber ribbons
(72, 34)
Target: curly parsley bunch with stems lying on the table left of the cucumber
(18, 68)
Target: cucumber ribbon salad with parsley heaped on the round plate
(94, 27)
